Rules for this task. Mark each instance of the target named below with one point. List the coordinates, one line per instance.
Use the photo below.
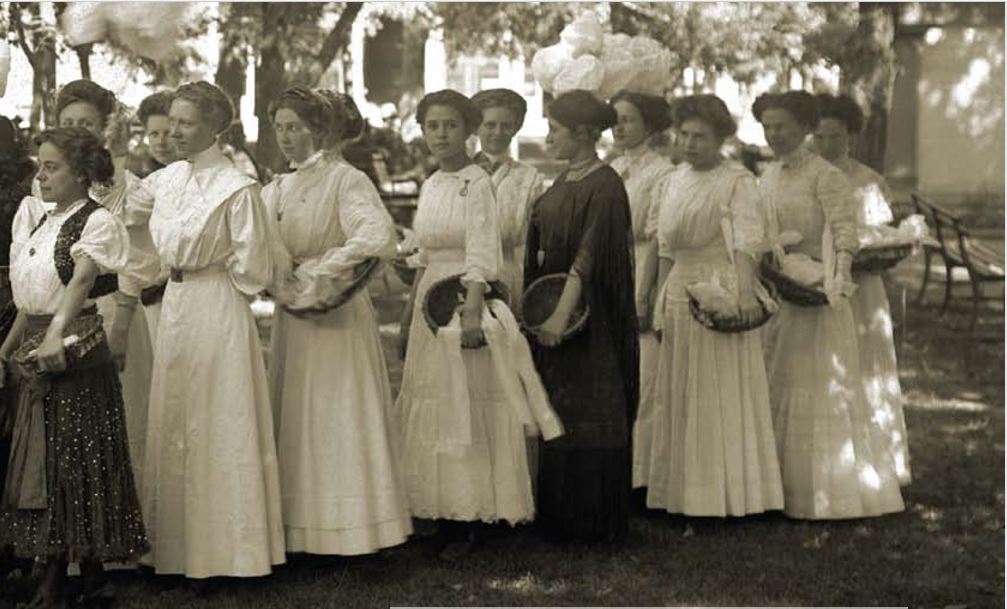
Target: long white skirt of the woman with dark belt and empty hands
(211, 496)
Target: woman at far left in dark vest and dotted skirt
(70, 495)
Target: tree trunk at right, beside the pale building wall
(870, 78)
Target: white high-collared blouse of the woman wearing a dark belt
(205, 213)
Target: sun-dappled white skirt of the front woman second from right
(833, 455)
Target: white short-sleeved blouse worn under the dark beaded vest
(36, 283)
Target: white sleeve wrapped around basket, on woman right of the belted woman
(370, 234)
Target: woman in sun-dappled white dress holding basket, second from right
(834, 459)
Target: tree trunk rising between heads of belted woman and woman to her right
(269, 82)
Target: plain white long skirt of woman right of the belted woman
(340, 478)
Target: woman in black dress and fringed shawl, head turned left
(582, 227)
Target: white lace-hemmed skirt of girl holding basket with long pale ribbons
(489, 481)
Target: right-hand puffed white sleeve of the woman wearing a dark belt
(251, 260)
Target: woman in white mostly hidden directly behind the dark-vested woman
(88, 105)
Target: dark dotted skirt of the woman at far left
(91, 508)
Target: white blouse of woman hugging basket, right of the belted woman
(330, 219)
